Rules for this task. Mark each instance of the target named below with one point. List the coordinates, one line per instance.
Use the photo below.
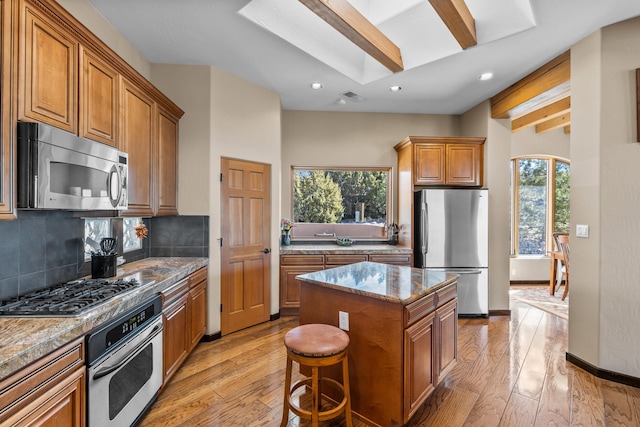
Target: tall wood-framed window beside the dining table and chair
(540, 203)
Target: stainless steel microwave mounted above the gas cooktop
(59, 170)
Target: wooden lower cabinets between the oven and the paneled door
(184, 315)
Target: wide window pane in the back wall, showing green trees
(340, 202)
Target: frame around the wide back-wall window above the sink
(389, 210)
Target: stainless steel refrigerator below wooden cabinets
(451, 234)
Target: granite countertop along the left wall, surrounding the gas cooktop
(25, 339)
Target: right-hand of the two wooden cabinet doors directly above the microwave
(98, 99)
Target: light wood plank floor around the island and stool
(511, 372)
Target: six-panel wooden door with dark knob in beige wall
(246, 257)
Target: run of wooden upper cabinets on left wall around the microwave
(70, 79)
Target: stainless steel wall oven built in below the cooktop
(125, 366)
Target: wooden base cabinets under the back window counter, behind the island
(294, 265)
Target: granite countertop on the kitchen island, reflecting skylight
(393, 283)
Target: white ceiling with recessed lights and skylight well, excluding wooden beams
(247, 38)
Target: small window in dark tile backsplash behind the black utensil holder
(97, 228)
